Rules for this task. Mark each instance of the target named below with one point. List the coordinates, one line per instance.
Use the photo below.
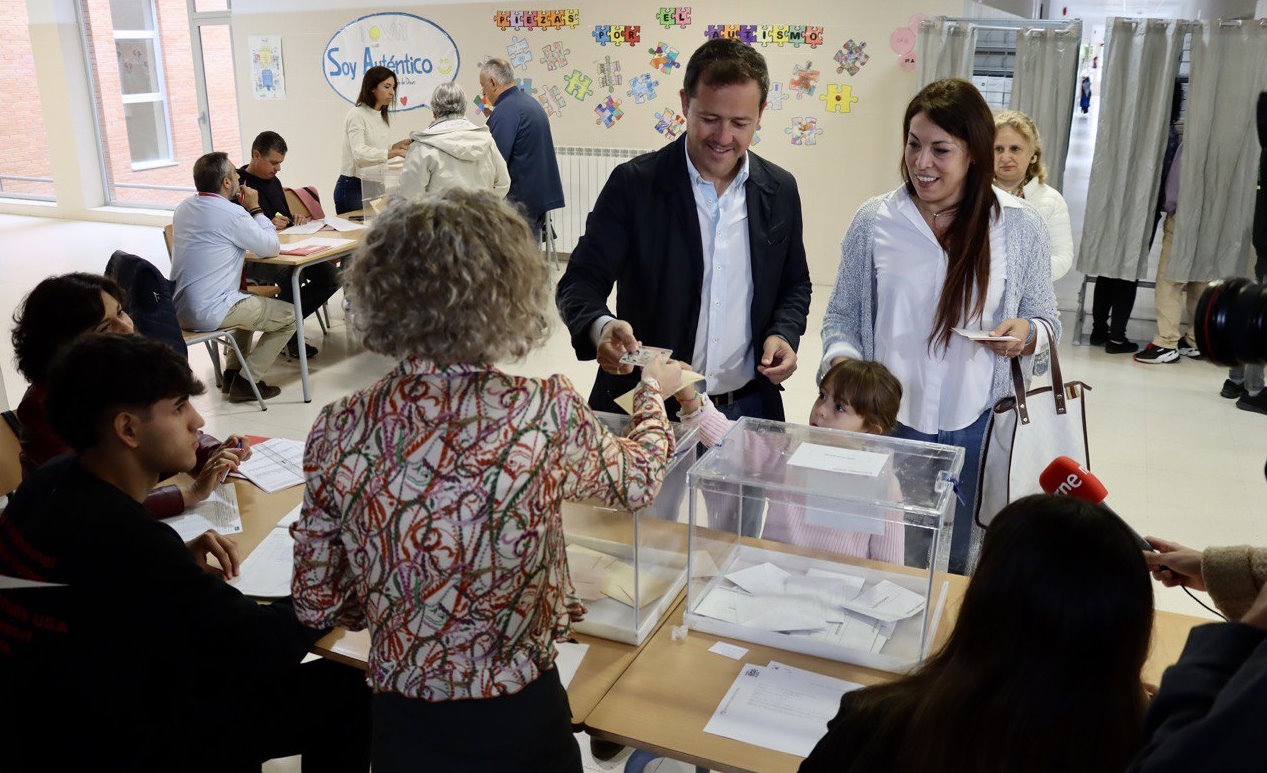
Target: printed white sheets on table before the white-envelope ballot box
(779, 708)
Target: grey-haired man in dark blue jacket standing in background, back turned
(523, 134)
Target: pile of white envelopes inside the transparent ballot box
(828, 606)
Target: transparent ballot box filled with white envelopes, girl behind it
(822, 542)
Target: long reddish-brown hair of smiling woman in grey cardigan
(957, 107)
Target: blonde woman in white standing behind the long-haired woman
(1021, 172)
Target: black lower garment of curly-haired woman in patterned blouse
(529, 732)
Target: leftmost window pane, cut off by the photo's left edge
(26, 170)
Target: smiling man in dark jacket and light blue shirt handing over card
(704, 240)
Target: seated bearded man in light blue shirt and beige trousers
(211, 236)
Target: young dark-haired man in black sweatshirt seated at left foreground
(137, 656)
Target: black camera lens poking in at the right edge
(1231, 323)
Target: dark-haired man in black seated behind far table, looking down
(317, 282)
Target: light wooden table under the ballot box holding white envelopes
(663, 701)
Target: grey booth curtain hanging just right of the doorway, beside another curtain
(1141, 63)
